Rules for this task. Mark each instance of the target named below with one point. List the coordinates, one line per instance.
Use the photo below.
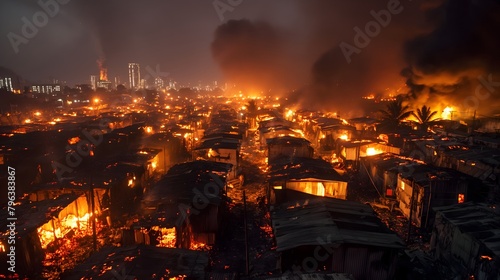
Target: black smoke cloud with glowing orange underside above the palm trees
(445, 64)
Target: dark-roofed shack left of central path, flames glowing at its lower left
(187, 205)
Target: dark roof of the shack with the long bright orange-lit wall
(284, 168)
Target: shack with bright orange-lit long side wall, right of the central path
(292, 179)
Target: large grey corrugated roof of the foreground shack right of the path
(329, 221)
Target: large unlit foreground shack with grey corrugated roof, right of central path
(335, 236)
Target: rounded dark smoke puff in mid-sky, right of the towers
(251, 54)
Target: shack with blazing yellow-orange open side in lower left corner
(40, 223)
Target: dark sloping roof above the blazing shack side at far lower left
(32, 215)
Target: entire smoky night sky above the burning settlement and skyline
(436, 47)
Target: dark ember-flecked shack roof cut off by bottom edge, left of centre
(141, 262)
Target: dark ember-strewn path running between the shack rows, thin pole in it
(228, 255)
